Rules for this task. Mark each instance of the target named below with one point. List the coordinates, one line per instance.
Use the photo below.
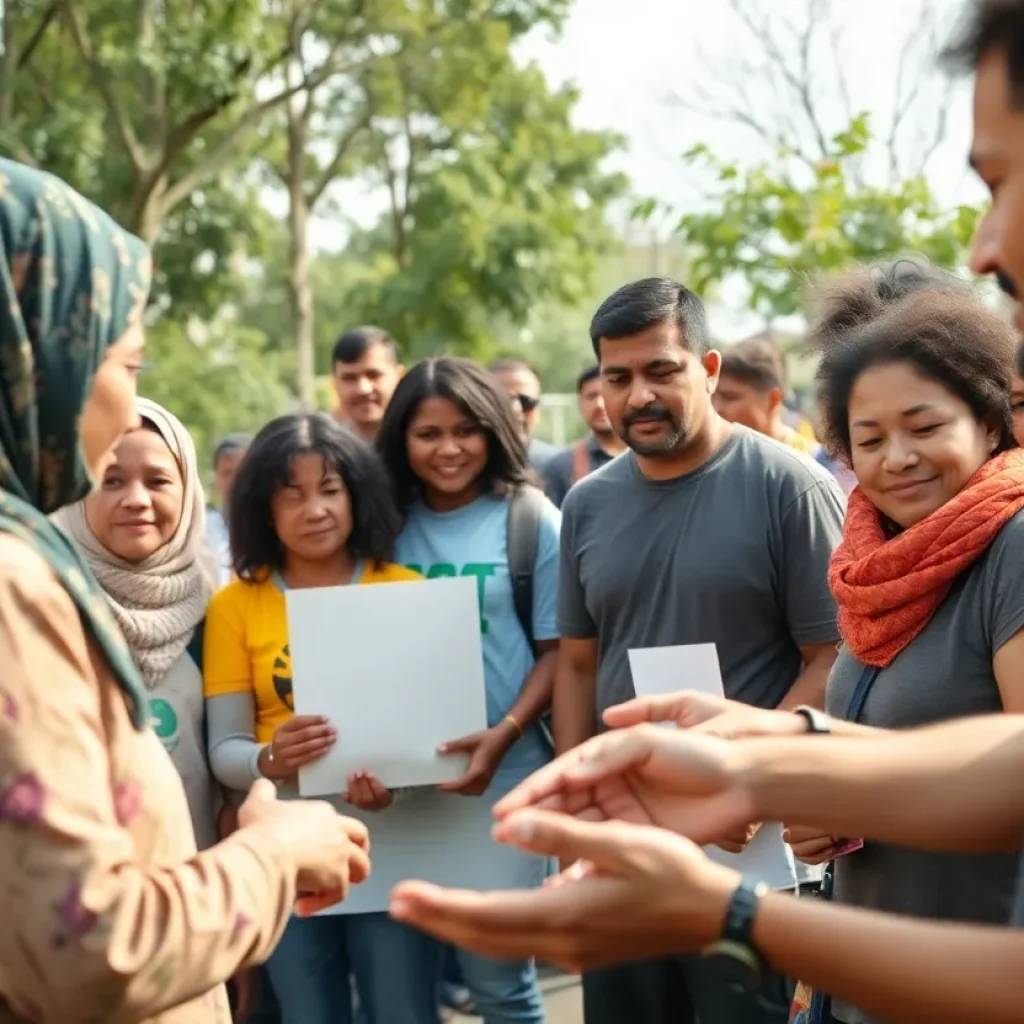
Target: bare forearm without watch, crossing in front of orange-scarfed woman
(958, 787)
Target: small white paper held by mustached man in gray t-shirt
(696, 667)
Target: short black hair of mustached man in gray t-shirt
(644, 305)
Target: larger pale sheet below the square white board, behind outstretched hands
(442, 838)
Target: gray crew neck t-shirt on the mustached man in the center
(736, 553)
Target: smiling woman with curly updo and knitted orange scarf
(915, 382)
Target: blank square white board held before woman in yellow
(398, 669)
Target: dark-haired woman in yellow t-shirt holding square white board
(312, 507)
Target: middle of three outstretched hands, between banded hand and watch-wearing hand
(646, 776)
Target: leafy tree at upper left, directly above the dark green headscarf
(155, 117)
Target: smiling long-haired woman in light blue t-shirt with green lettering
(456, 455)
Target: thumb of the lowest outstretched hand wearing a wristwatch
(605, 844)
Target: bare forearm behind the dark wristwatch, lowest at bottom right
(898, 969)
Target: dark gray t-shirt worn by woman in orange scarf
(946, 673)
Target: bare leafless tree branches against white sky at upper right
(785, 82)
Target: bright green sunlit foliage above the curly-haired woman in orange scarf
(779, 224)
